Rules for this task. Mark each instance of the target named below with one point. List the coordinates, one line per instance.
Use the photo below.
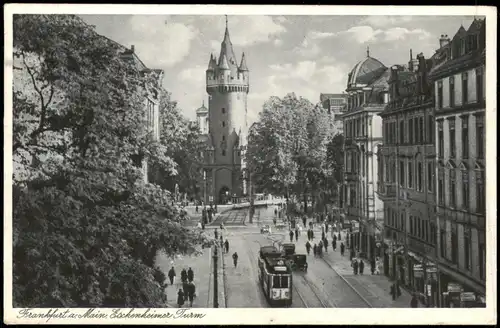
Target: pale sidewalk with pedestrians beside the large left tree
(203, 278)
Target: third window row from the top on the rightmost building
(465, 185)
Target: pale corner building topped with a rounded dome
(367, 90)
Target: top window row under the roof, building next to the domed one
(414, 130)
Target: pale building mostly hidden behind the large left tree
(151, 99)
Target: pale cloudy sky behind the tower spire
(308, 55)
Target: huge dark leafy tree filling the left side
(86, 230)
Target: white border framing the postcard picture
(273, 316)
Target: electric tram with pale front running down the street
(275, 276)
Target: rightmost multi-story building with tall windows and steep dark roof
(459, 81)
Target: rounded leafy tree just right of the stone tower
(291, 149)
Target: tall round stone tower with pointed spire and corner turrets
(227, 86)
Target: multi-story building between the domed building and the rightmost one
(406, 179)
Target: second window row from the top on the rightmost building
(480, 135)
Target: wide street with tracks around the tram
(328, 282)
